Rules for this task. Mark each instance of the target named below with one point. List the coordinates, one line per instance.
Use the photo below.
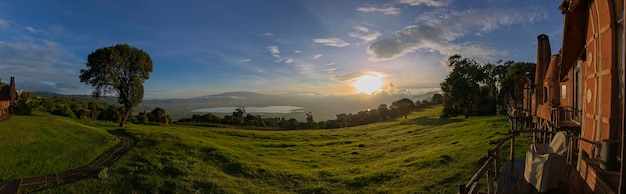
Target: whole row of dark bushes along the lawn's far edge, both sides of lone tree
(99, 109)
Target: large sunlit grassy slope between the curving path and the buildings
(424, 154)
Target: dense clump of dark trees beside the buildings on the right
(472, 88)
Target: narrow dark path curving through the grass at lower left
(31, 184)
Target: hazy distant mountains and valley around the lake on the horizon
(323, 107)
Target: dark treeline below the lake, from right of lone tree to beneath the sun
(399, 108)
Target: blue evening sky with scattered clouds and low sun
(273, 46)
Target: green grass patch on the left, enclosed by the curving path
(44, 144)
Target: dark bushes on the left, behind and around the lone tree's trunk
(85, 108)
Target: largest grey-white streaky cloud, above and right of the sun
(438, 35)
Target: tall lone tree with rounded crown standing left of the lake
(121, 70)
